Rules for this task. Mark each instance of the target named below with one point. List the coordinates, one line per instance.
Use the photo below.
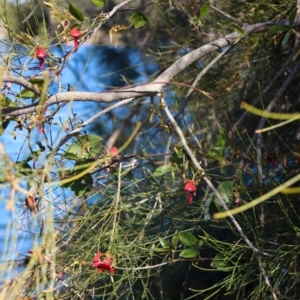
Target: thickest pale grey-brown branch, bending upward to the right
(153, 87)
